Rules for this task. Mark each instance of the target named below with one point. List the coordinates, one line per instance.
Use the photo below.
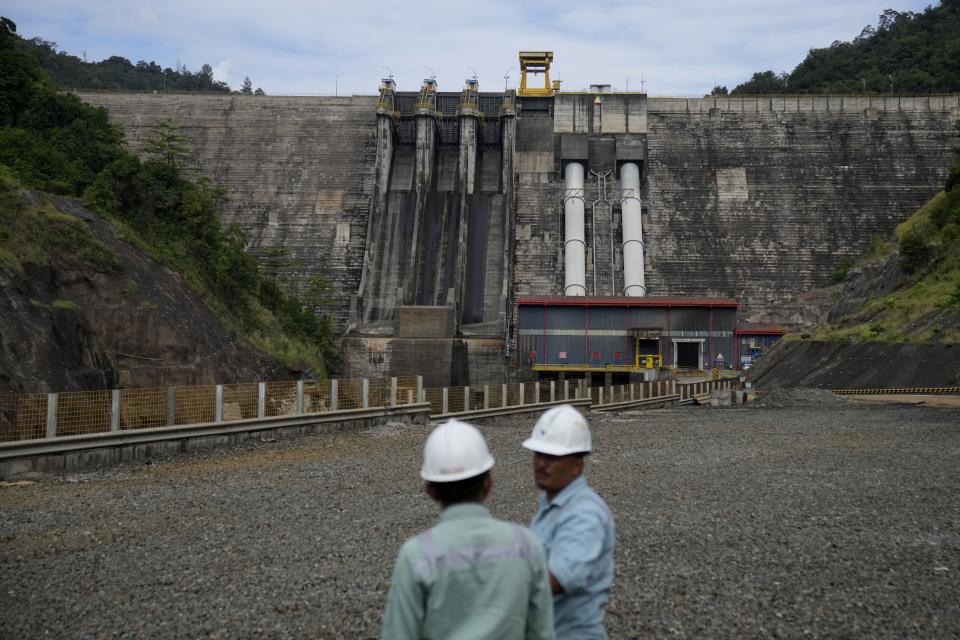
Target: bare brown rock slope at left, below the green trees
(74, 322)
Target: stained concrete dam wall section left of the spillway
(298, 171)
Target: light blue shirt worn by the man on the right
(576, 529)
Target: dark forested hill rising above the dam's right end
(904, 53)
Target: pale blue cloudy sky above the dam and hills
(304, 47)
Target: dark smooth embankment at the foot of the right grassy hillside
(866, 365)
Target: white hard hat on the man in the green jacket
(455, 451)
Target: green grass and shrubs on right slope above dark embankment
(926, 305)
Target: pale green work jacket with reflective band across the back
(470, 576)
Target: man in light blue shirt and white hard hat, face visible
(573, 523)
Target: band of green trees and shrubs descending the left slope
(51, 141)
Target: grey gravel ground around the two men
(824, 521)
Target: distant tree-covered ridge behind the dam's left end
(117, 73)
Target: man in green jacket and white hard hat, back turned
(470, 576)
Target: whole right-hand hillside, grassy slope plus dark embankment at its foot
(892, 319)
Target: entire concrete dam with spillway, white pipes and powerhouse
(471, 236)
